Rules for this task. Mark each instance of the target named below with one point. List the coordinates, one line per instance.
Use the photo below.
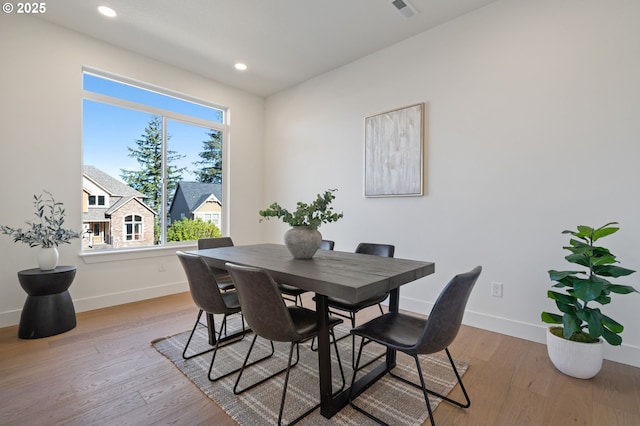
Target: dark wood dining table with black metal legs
(349, 276)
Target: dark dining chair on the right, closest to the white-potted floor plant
(418, 336)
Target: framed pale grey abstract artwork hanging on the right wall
(394, 153)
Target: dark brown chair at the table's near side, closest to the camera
(270, 318)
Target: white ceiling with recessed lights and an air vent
(283, 42)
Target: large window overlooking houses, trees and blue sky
(141, 146)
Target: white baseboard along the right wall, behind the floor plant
(625, 354)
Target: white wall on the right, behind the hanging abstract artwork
(532, 129)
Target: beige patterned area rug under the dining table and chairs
(389, 399)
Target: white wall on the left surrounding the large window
(41, 148)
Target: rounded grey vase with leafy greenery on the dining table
(303, 239)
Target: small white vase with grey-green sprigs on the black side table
(46, 231)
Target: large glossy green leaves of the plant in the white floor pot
(584, 287)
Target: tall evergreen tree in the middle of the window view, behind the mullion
(148, 178)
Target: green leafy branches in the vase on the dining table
(310, 215)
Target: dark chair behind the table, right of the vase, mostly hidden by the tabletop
(351, 309)
